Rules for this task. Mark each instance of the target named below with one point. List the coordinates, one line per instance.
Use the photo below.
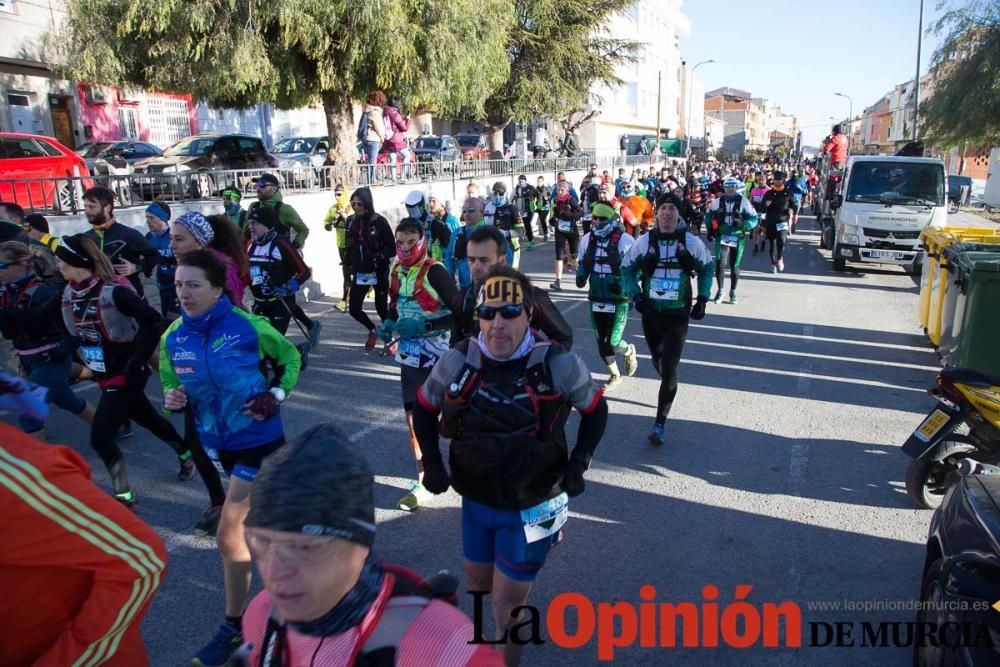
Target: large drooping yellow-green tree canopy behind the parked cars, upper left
(445, 55)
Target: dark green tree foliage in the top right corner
(965, 104)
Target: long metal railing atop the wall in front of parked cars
(65, 195)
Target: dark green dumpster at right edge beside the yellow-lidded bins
(977, 313)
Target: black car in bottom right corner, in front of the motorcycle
(961, 580)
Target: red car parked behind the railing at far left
(29, 167)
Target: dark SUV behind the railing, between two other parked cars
(187, 166)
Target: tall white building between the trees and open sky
(631, 108)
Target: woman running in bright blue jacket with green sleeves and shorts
(210, 364)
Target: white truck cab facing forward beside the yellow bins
(884, 205)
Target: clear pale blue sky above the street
(799, 53)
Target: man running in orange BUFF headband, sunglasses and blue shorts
(503, 399)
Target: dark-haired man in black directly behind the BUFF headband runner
(485, 250)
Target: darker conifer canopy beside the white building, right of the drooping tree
(557, 49)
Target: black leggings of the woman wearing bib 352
(115, 407)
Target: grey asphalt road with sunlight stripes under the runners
(781, 470)
